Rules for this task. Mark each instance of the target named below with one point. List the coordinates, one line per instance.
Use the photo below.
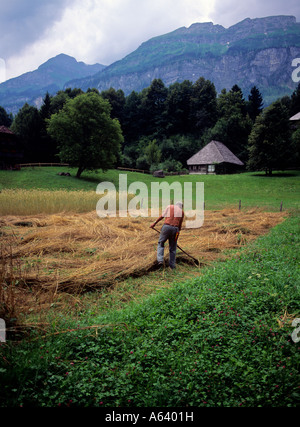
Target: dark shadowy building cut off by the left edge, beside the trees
(11, 153)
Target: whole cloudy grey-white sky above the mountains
(104, 31)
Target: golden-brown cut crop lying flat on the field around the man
(76, 252)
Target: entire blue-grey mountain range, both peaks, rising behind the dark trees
(253, 52)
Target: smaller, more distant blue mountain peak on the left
(51, 76)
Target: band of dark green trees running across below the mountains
(158, 128)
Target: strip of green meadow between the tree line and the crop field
(220, 191)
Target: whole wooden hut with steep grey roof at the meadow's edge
(214, 158)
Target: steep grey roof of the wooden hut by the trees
(213, 153)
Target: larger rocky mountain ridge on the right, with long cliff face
(253, 52)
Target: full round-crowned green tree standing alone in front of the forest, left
(87, 136)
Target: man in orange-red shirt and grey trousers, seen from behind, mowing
(170, 230)
